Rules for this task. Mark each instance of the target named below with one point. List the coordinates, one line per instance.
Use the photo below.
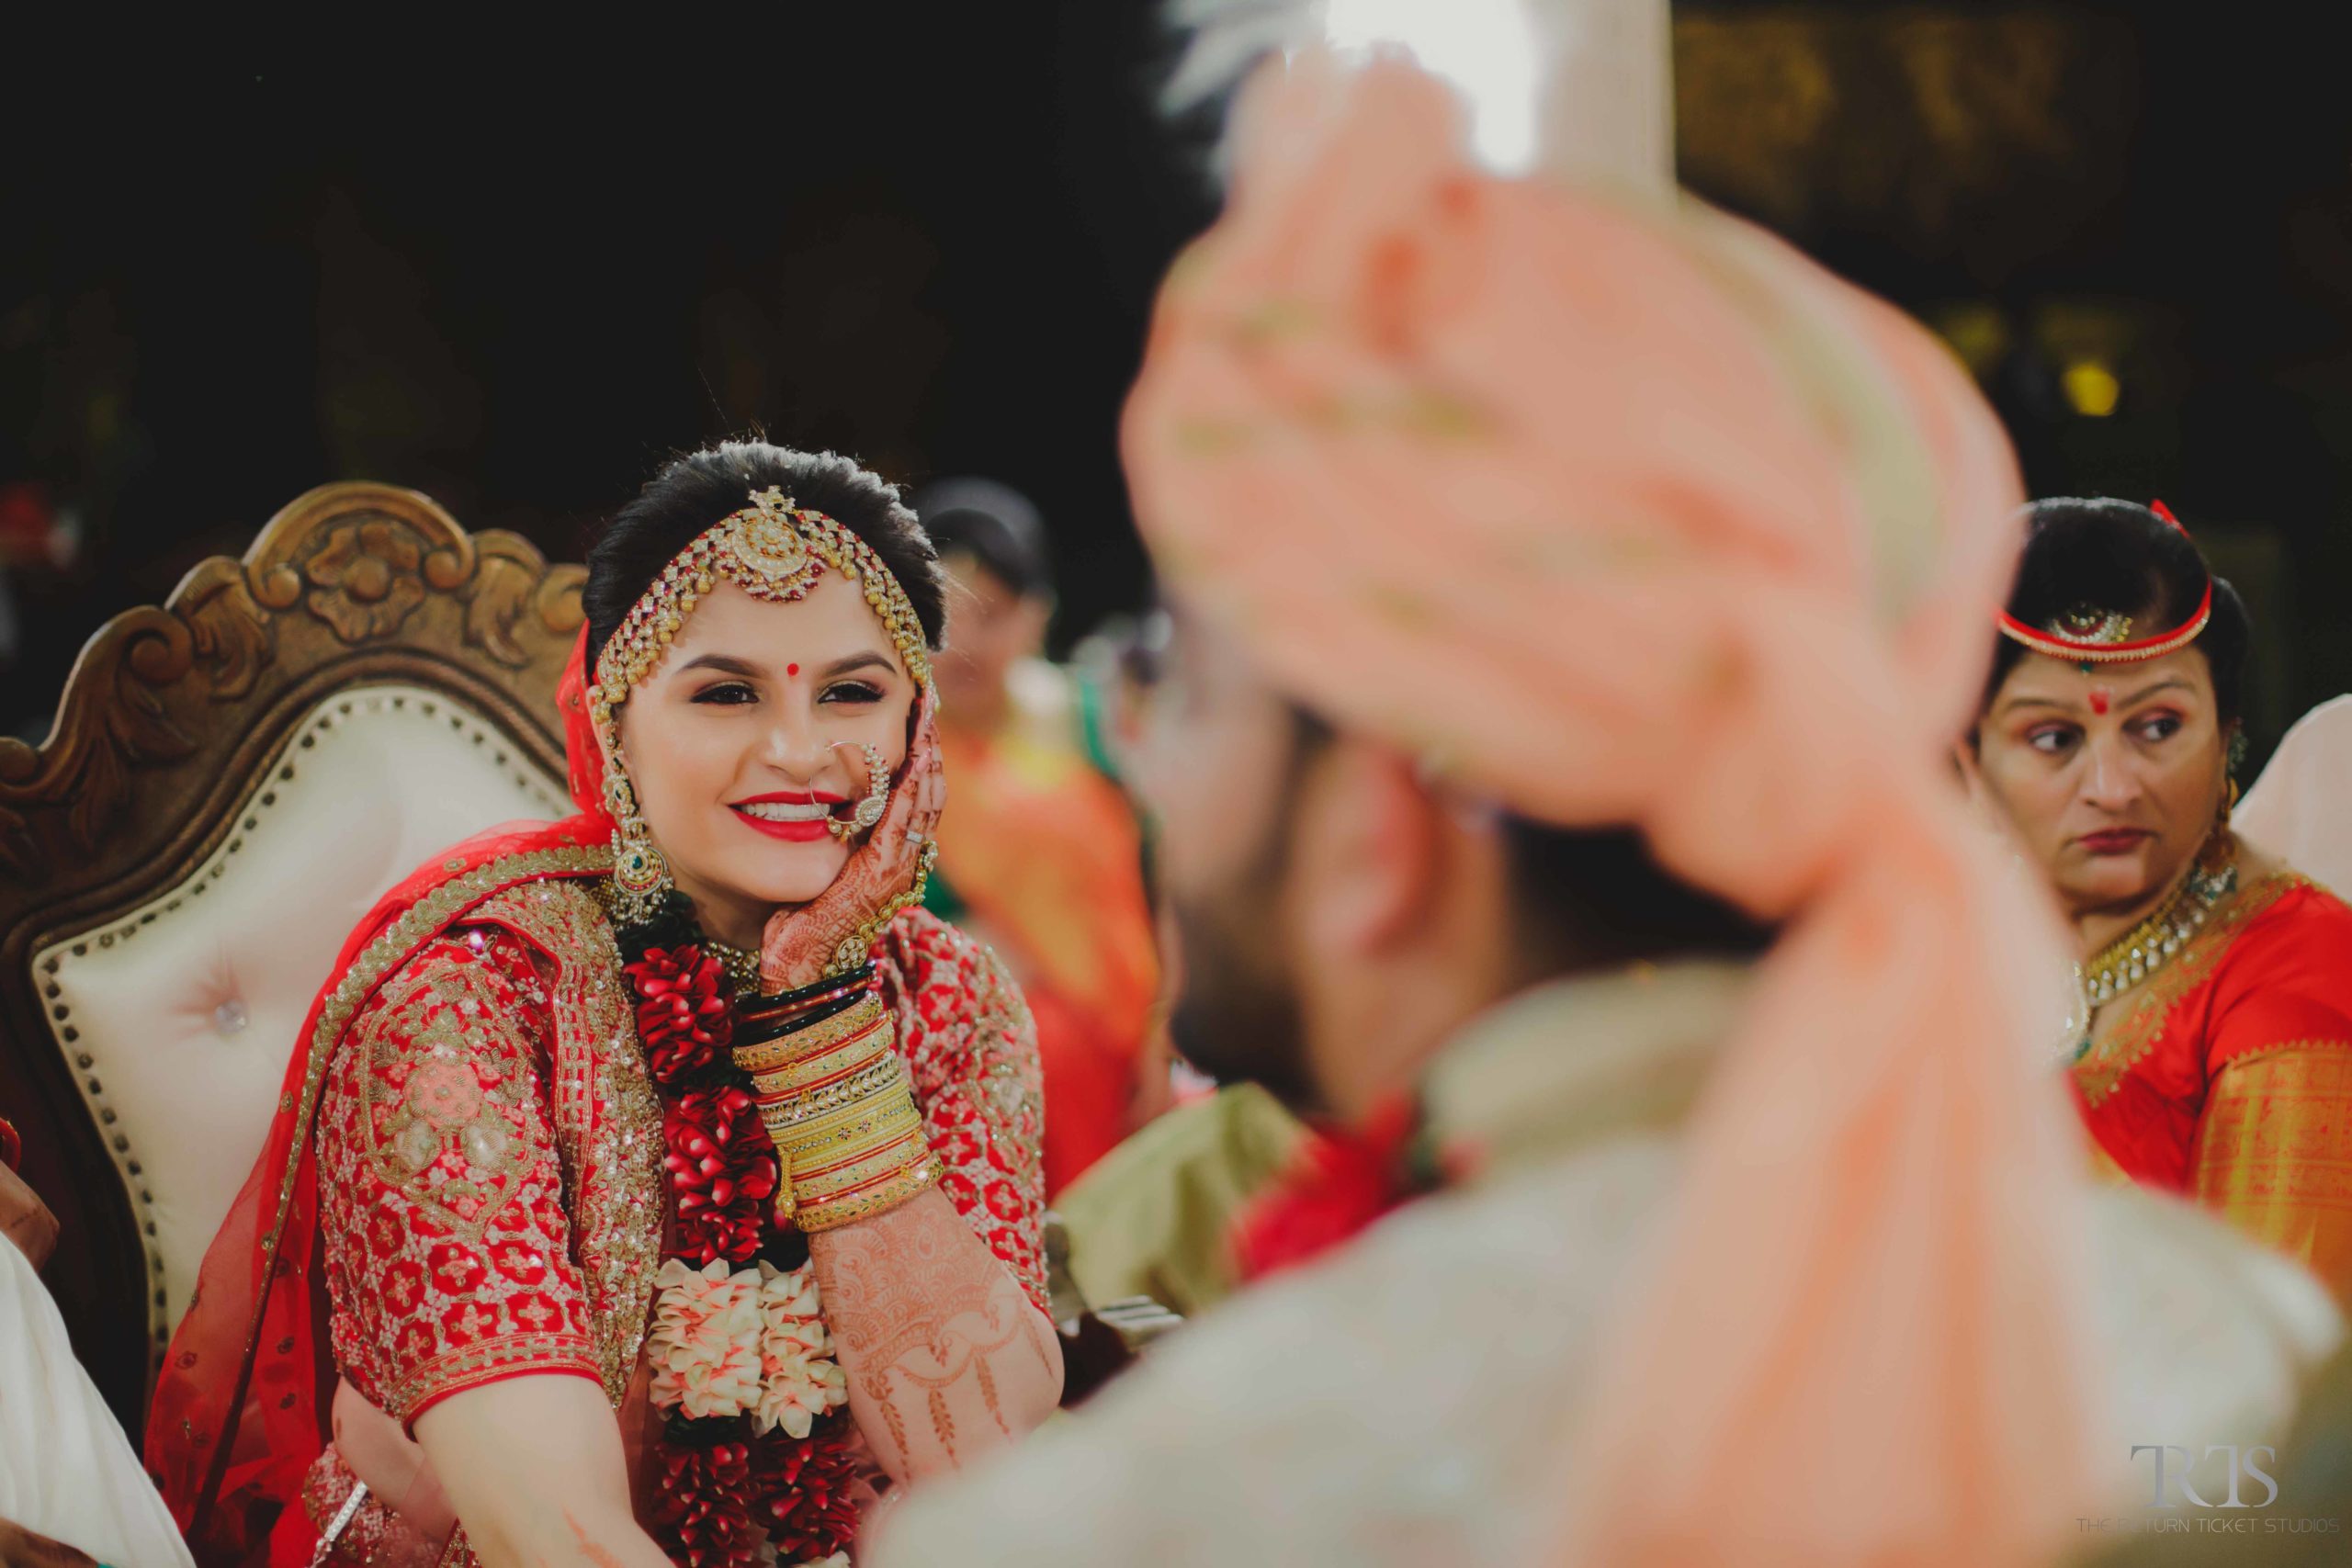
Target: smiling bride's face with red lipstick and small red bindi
(747, 742)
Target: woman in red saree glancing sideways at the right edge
(2214, 1047)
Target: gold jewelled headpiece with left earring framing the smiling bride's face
(773, 551)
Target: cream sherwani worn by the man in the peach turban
(1408, 1400)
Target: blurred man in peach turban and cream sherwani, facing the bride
(1577, 596)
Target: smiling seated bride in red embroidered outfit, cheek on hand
(660, 1184)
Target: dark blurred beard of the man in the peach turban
(1238, 1012)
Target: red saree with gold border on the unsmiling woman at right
(2229, 1076)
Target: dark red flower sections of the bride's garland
(723, 1177)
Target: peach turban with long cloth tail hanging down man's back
(1631, 516)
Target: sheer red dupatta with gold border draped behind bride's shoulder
(243, 1402)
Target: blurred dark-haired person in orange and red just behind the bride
(1041, 852)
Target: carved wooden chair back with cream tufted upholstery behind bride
(232, 782)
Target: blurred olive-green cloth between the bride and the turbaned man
(1151, 1219)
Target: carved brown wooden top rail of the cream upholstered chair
(342, 570)
